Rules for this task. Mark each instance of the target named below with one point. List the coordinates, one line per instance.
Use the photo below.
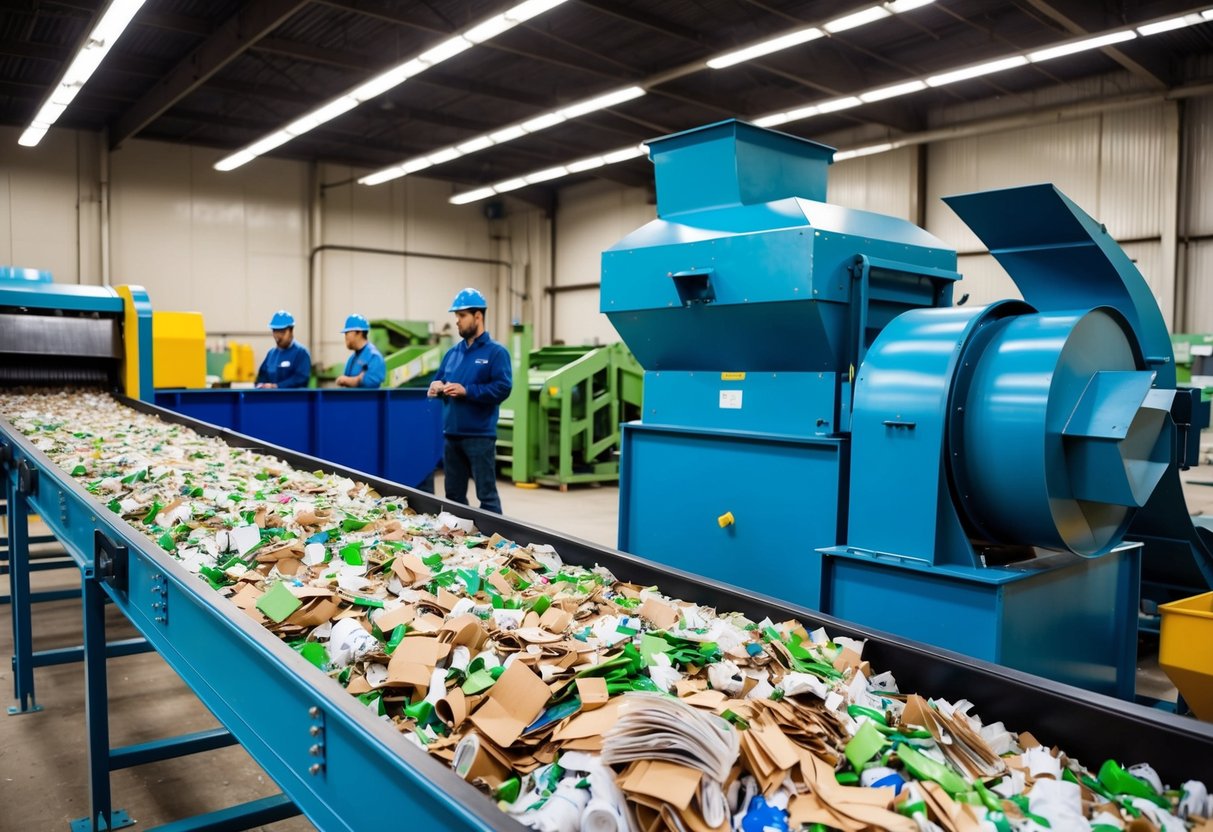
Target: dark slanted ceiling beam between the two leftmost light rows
(237, 35)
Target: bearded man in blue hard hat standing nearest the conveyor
(474, 379)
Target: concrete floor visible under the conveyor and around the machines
(43, 759)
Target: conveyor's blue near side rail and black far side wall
(223, 654)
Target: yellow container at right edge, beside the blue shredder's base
(1186, 651)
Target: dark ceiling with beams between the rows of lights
(224, 73)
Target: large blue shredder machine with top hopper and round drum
(821, 424)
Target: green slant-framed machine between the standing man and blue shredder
(562, 426)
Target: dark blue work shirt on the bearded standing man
(483, 368)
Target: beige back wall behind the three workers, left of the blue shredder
(235, 247)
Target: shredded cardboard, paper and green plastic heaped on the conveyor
(578, 700)
